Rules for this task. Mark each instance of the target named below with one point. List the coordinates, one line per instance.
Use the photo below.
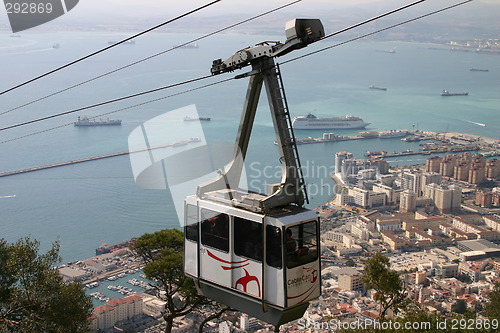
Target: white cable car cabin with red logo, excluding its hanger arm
(266, 265)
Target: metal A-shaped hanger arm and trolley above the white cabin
(291, 190)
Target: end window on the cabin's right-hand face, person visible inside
(301, 244)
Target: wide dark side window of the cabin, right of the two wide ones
(248, 239)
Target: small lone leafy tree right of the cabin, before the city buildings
(390, 289)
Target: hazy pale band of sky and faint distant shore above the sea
(129, 15)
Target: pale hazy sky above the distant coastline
(107, 12)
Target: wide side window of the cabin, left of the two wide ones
(215, 230)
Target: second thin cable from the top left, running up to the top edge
(150, 57)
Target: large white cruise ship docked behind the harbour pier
(312, 122)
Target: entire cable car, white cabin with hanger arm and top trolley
(254, 252)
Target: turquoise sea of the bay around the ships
(87, 204)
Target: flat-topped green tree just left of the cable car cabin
(162, 253)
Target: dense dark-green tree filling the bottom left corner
(33, 295)
